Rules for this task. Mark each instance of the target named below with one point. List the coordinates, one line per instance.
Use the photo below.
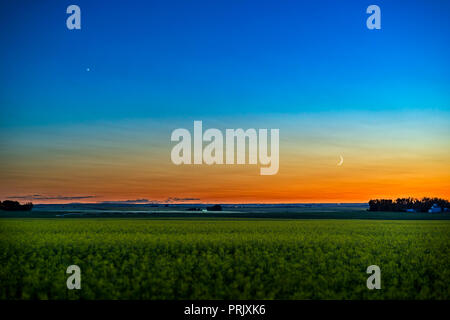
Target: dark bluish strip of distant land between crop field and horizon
(331, 212)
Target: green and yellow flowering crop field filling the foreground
(223, 258)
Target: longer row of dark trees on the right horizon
(403, 204)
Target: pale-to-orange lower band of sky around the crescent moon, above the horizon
(390, 163)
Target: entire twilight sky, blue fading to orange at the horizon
(86, 115)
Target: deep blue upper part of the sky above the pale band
(162, 59)
